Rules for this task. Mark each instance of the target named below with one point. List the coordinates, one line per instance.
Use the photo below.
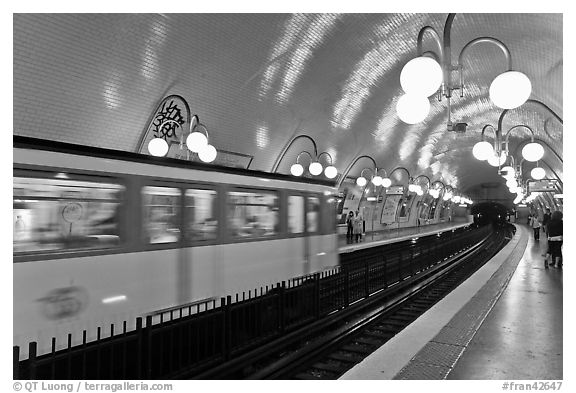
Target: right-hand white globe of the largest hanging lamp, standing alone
(510, 89)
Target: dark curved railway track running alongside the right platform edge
(331, 354)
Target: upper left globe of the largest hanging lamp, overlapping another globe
(422, 76)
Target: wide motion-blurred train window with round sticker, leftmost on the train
(51, 214)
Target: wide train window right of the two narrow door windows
(252, 213)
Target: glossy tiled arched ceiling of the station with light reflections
(258, 80)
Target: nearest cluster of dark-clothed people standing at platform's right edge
(552, 225)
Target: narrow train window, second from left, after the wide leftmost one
(161, 214)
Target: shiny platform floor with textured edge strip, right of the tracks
(505, 322)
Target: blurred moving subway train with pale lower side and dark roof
(103, 236)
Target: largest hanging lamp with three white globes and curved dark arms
(508, 90)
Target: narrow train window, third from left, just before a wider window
(201, 215)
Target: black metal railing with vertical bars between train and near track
(190, 341)
